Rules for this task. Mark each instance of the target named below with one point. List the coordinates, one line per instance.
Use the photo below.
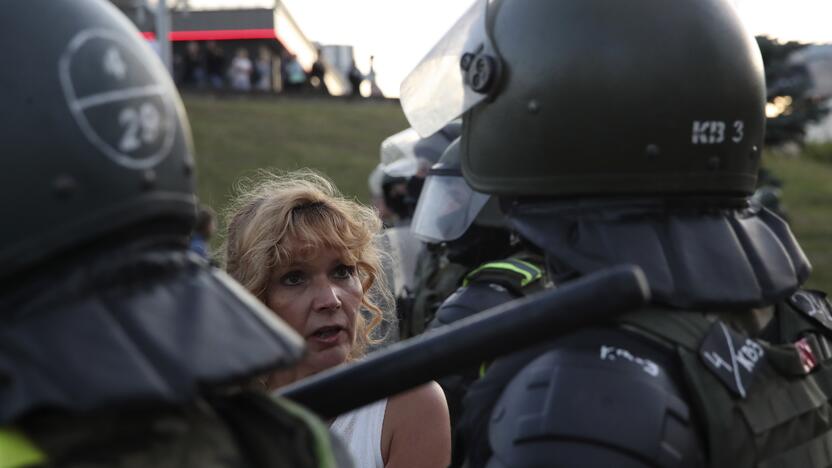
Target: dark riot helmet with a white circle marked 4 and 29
(95, 140)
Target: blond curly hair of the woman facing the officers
(304, 206)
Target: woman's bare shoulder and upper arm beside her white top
(417, 427)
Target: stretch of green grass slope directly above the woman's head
(234, 136)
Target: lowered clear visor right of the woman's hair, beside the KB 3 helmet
(446, 208)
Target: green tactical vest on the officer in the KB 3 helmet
(761, 404)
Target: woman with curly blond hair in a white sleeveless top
(310, 255)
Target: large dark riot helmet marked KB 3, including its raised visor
(565, 97)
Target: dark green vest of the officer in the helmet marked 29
(242, 430)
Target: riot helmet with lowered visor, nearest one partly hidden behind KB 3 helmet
(448, 206)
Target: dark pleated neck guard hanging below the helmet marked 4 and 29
(162, 356)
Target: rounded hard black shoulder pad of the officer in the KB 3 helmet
(607, 408)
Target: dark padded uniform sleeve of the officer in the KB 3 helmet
(597, 398)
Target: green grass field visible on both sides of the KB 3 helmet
(235, 136)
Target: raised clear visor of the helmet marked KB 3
(435, 93)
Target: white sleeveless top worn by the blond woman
(361, 432)
